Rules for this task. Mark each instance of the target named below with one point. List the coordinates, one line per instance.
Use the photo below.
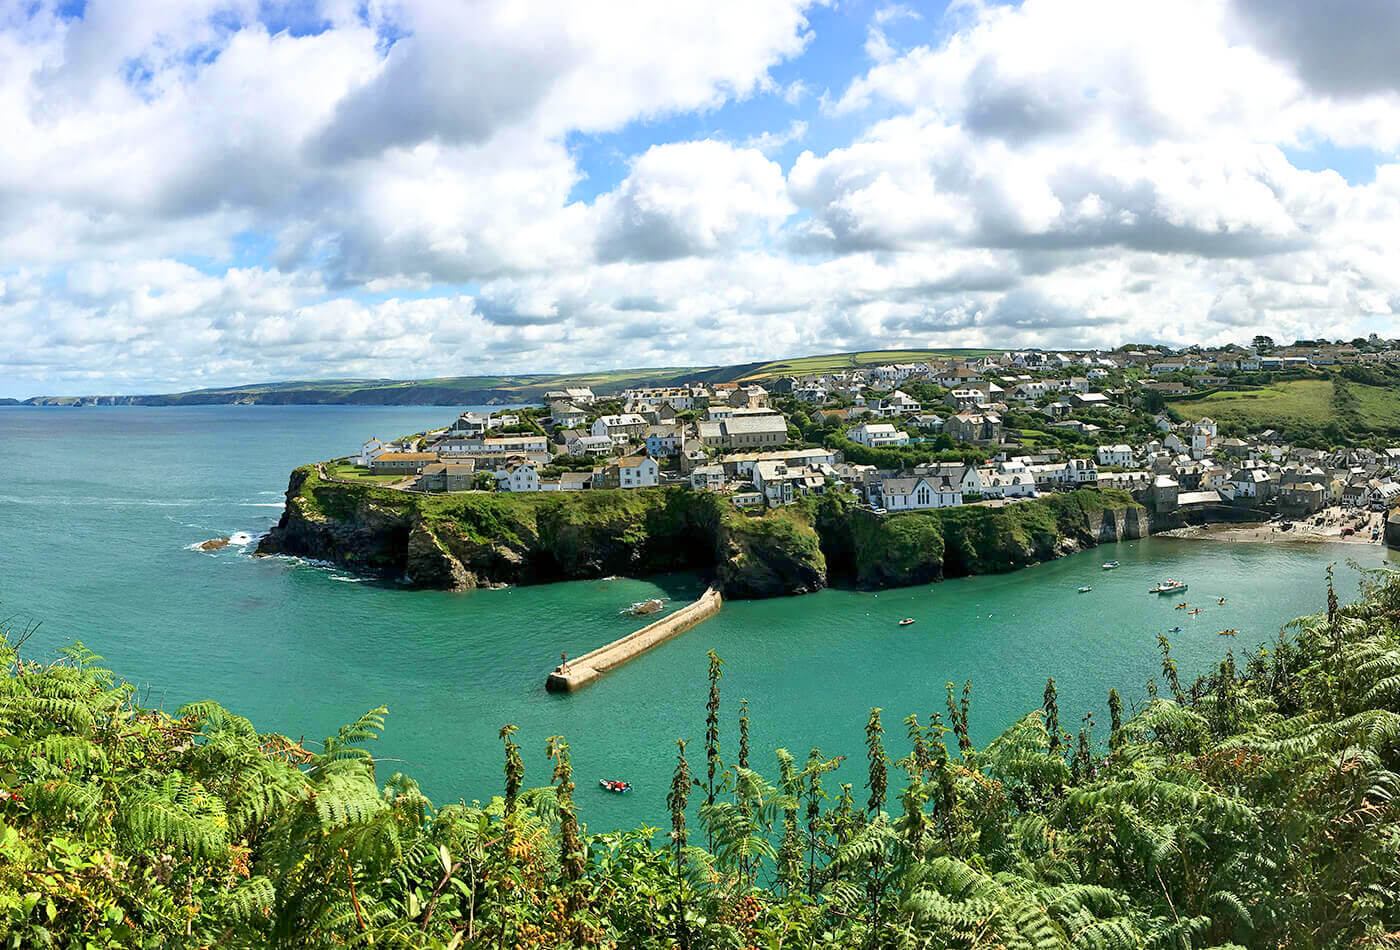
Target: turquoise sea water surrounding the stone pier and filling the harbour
(100, 506)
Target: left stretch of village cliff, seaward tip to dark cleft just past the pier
(464, 542)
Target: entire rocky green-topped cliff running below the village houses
(460, 542)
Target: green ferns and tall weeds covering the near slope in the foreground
(1256, 807)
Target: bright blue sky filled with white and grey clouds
(211, 192)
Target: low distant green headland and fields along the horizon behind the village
(481, 391)
